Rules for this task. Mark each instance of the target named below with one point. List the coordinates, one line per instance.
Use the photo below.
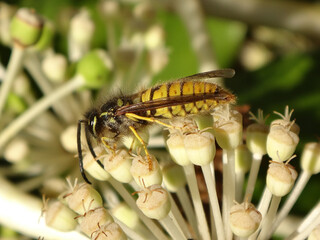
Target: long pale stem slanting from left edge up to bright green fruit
(39, 107)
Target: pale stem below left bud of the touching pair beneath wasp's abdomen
(197, 203)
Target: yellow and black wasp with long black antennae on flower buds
(124, 115)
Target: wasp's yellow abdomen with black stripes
(185, 97)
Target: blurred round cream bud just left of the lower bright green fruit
(54, 67)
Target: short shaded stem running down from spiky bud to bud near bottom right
(256, 161)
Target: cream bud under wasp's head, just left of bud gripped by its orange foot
(118, 165)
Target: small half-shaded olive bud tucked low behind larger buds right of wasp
(243, 159)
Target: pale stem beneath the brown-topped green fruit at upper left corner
(13, 69)
